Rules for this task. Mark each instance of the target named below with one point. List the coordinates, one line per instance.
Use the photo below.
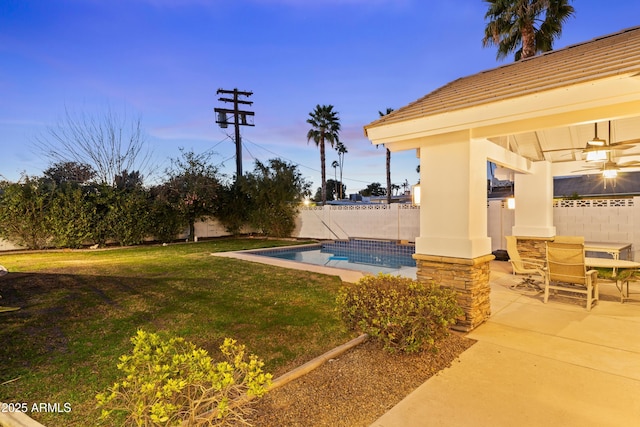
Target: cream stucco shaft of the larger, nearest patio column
(453, 207)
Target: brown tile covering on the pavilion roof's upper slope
(603, 57)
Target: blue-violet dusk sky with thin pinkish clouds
(164, 60)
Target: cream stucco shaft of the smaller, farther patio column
(534, 202)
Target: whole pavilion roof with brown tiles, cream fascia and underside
(548, 102)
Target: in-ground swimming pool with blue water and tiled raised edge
(370, 256)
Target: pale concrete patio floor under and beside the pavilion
(537, 364)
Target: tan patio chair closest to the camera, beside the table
(566, 271)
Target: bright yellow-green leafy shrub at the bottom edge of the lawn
(169, 382)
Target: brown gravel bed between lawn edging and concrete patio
(354, 389)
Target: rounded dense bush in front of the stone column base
(402, 313)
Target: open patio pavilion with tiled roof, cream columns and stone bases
(535, 119)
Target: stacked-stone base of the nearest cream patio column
(468, 277)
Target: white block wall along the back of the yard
(604, 220)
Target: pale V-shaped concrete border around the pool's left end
(350, 276)
